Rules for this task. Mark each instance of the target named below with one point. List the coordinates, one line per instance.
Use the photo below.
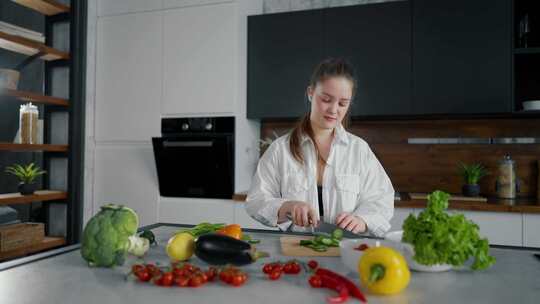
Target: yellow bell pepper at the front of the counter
(383, 270)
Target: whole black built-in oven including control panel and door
(195, 157)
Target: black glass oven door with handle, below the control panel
(195, 166)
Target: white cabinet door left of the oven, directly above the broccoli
(126, 175)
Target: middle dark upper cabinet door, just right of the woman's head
(376, 38)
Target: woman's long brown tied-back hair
(331, 67)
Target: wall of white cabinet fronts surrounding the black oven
(127, 96)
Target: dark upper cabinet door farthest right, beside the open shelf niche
(461, 56)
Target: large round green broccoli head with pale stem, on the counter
(110, 234)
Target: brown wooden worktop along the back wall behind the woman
(520, 205)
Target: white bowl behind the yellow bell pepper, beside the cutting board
(350, 256)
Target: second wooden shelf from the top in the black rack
(29, 47)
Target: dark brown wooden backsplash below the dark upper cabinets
(427, 167)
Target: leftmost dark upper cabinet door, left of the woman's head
(283, 50)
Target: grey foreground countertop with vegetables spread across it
(65, 278)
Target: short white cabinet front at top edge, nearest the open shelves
(115, 7)
